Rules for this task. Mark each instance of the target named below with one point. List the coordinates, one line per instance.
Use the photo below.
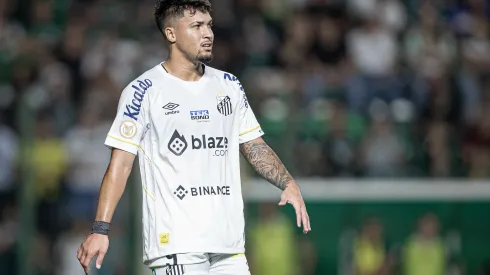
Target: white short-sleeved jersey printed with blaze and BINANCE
(187, 136)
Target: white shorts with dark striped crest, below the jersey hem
(204, 264)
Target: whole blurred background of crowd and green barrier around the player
(379, 108)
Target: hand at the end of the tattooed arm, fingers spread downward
(292, 195)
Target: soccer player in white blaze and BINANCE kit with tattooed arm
(188, 123)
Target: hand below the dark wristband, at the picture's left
(94, 244)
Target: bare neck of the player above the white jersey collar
(183, 69)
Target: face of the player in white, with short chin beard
(195, 36)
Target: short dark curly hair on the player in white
(165, 9)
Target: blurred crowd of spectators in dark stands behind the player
(357, 88)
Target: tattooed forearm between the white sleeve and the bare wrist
(266, 163)
